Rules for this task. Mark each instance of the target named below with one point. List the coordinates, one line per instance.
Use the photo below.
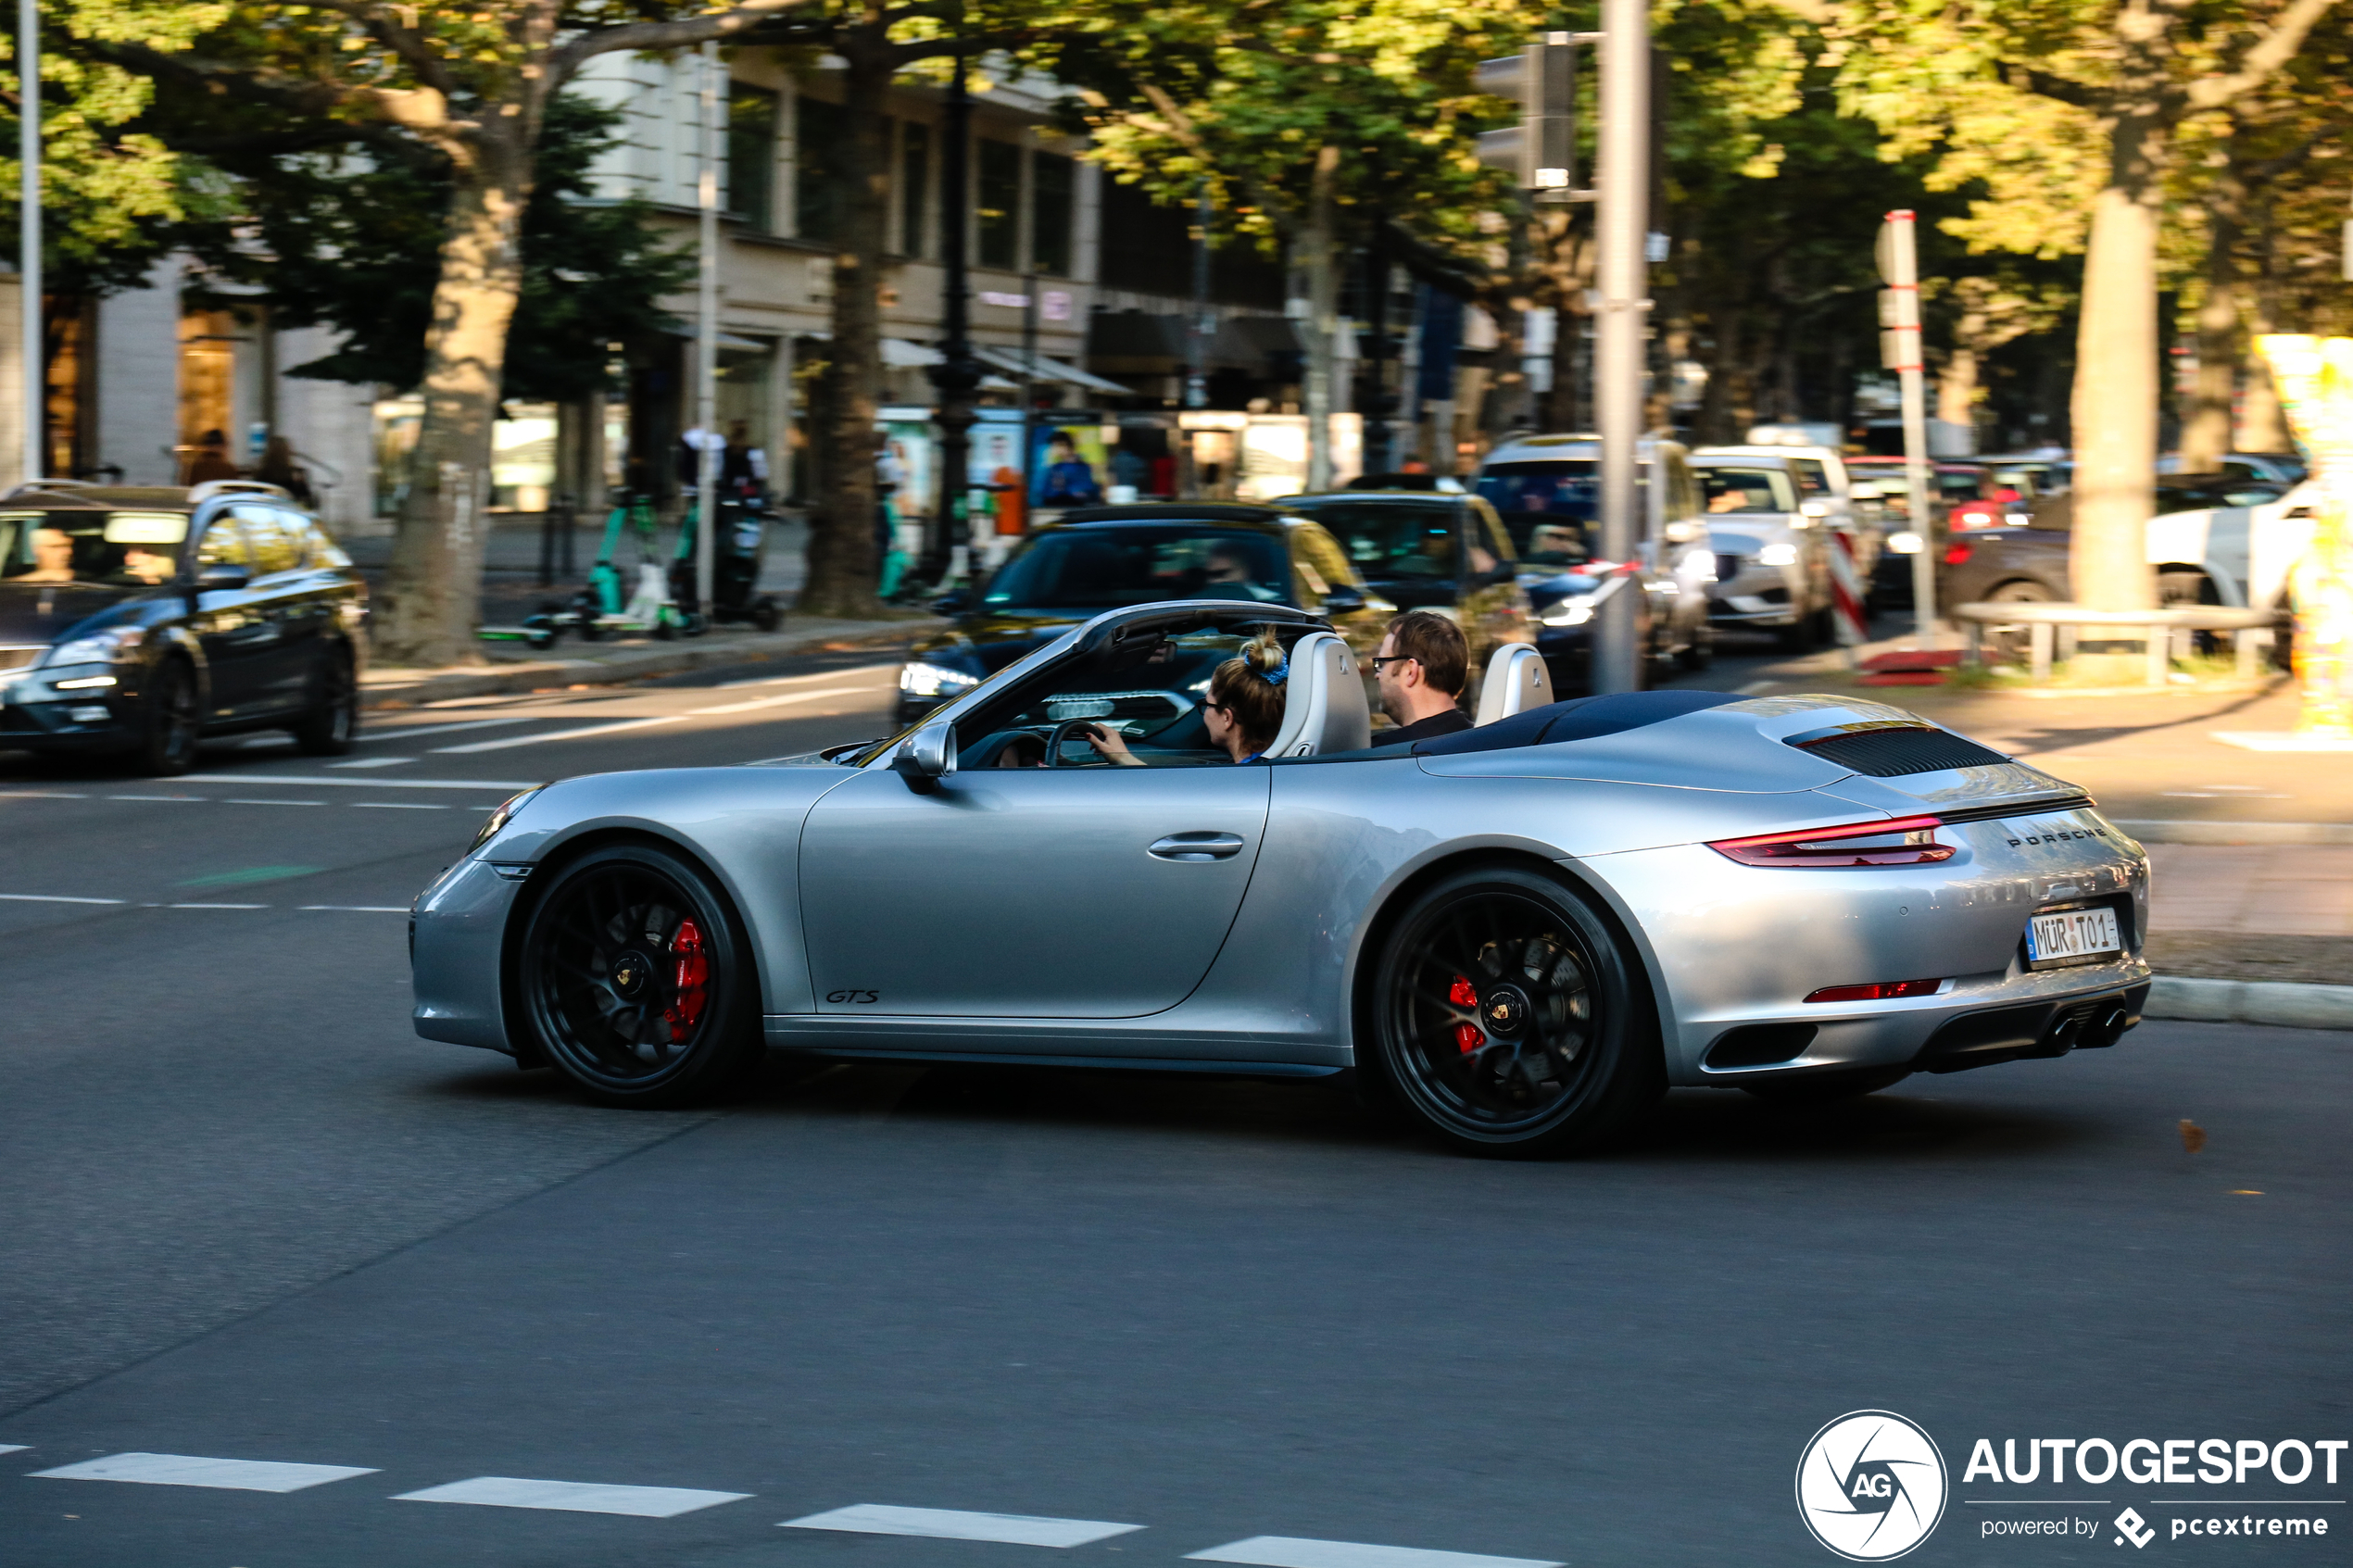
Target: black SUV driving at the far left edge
(147, 619)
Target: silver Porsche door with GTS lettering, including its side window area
(1027, 892)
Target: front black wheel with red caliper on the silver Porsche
(636, 979)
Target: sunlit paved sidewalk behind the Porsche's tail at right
(2251, 852)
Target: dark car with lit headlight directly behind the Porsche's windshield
(1112, 556)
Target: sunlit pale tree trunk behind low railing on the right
(2117, 375)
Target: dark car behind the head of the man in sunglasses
(1439, 551)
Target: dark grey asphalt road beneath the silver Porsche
(248, 1217)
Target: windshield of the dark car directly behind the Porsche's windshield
(1098, 568)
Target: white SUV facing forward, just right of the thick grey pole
(1773, 565)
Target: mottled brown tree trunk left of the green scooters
(434, 591)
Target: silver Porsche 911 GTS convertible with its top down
(1519, 934)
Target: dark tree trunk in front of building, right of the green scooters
(844, 565)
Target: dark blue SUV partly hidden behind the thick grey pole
(1547, 490)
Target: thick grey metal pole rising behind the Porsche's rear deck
(1625, 274)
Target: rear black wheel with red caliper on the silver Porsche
(1509, 1021)
